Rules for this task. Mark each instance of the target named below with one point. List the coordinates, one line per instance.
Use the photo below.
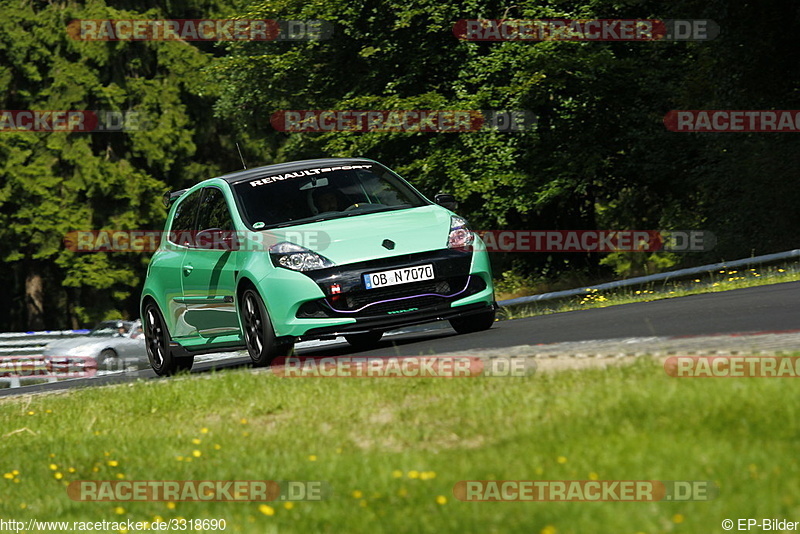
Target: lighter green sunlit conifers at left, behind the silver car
(56, 182)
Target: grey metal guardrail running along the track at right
(680, 273)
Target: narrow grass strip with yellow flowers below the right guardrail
(723, 280)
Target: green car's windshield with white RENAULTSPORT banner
(323, 193)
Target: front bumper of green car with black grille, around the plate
(334, 301)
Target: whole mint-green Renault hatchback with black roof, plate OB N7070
(265, 257)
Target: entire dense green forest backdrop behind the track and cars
(600, 156)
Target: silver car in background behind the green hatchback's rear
(114, 345)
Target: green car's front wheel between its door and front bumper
(259, 336)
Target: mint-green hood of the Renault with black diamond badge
(361, 237)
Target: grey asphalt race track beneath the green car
(772, 308)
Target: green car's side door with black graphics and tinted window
(209, 270)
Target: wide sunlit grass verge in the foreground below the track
(364, 437)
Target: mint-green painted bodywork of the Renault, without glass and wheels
(198, 290)
